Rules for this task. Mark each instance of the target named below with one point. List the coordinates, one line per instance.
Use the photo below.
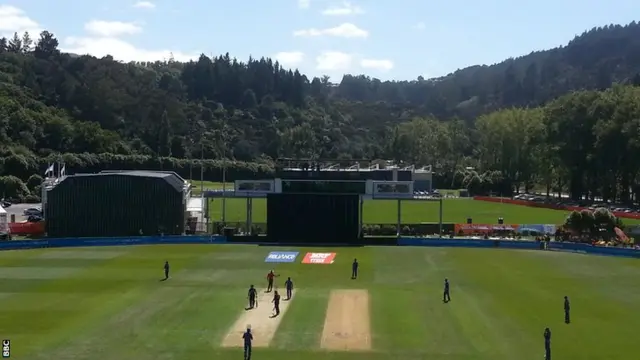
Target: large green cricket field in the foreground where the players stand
(108, 303)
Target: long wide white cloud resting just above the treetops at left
(120, 50)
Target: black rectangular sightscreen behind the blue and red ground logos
(313, 218)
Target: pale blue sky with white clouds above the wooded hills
(385, 39)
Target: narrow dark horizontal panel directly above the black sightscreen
(324, 186)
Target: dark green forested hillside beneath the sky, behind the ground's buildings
(544, 119)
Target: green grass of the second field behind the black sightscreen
(385, 212)
